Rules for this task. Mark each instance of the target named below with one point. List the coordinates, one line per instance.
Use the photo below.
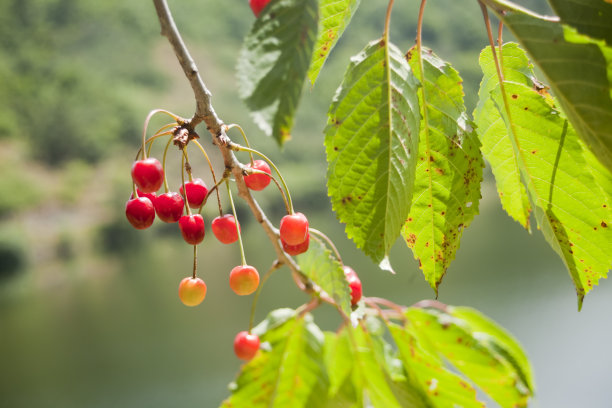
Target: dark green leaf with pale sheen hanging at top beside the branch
(274, 61)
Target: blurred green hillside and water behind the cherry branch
(89, 312)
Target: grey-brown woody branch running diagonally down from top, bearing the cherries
(205, 113)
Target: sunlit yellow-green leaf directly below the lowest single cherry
(288, 371)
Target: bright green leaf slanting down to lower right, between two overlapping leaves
(470, 352)
